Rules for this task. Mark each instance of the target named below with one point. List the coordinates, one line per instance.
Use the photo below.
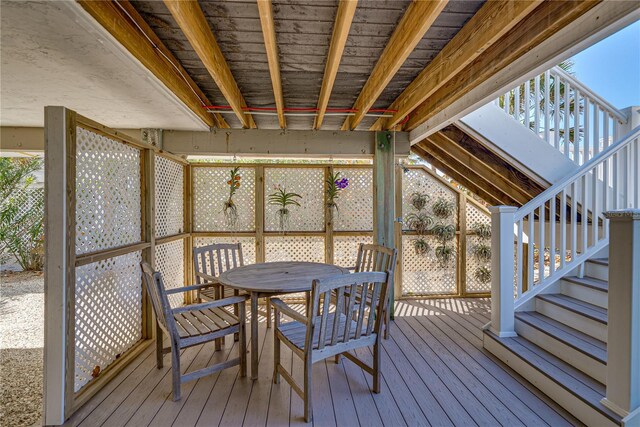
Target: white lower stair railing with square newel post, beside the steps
(561, 228)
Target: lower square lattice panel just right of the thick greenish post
(422, 274)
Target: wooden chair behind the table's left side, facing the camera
(212, 260)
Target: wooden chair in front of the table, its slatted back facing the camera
(324, 332)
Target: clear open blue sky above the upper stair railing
(612, 67)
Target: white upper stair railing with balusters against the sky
(564, 113)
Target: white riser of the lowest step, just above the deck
(559, 394)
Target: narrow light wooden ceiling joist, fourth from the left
(341, 27)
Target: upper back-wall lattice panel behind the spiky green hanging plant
(307, 182)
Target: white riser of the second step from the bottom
(577, 359)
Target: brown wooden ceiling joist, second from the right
(494, 19)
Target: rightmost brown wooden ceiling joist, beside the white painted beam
(542, 23)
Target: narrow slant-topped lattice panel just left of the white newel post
(475, 282)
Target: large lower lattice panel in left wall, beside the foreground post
(108, 312)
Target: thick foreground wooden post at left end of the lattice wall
(59, 283)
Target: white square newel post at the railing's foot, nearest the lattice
(502, 264)
